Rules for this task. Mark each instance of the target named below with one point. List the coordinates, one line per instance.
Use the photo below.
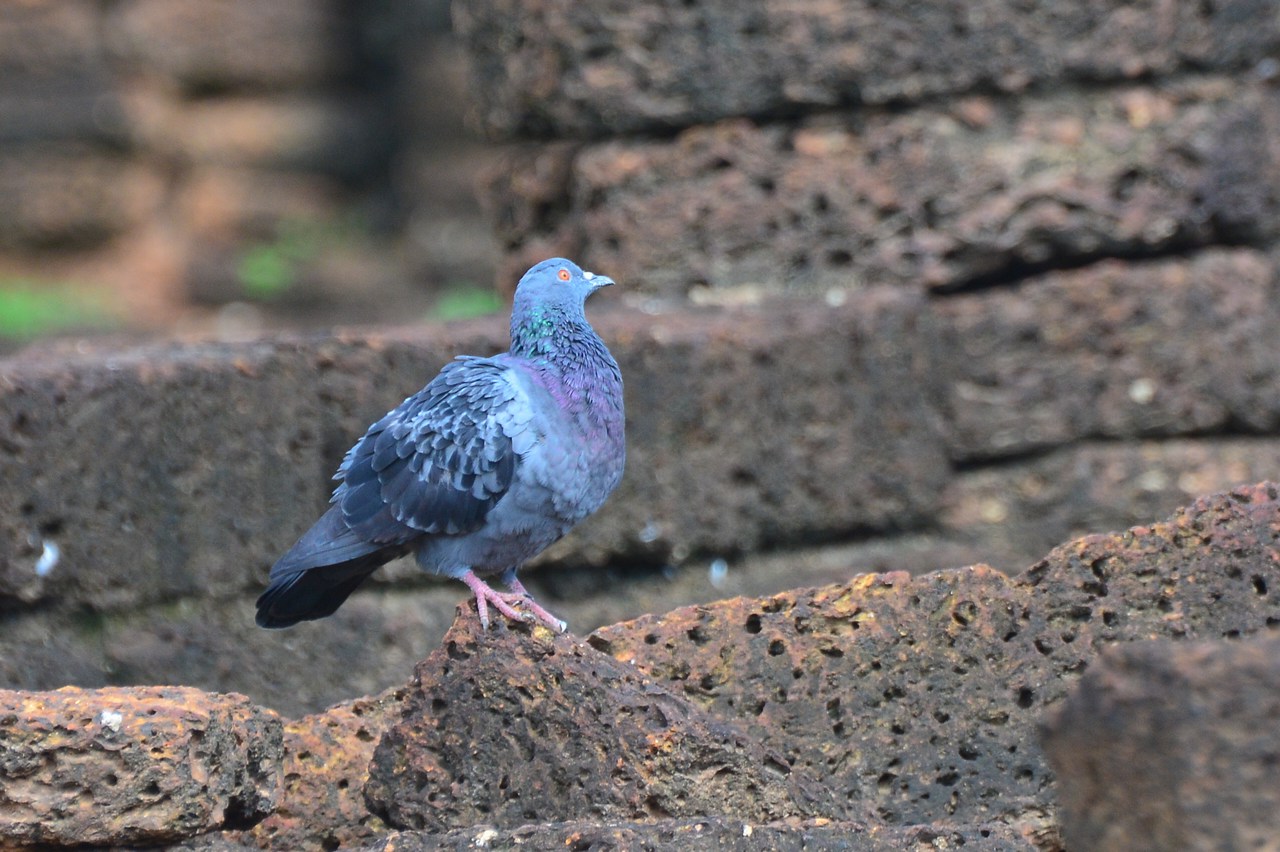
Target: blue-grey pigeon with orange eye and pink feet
(479, 471)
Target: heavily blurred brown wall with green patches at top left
(221, 166)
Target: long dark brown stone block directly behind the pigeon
(171, 471)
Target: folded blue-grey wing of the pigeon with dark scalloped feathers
(442, 460)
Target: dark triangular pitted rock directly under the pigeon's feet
(515, 727)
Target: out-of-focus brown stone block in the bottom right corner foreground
(1172, 746)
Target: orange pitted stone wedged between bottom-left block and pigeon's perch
(326, 767)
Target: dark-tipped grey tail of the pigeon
(319, 572)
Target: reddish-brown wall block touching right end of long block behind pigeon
(1114, 351)
